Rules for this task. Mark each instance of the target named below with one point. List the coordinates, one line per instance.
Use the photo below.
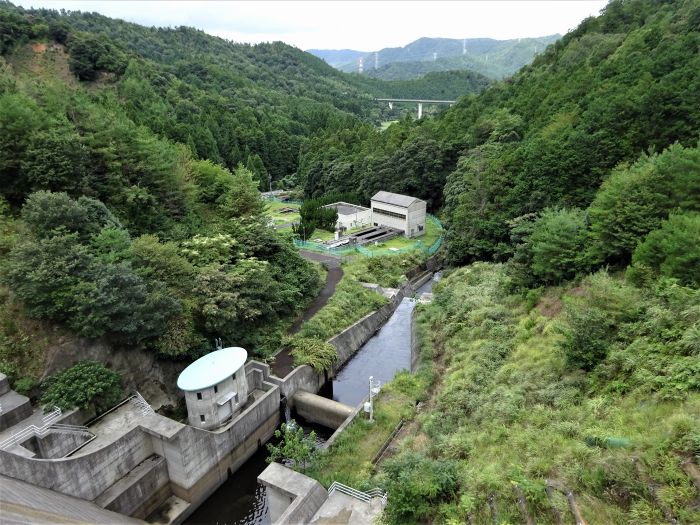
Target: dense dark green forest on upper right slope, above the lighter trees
(618, 86)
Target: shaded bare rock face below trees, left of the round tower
(141, 370)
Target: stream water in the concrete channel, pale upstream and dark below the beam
(240, 501)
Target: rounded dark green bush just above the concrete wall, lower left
(87, 383)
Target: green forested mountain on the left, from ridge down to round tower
(132, 156)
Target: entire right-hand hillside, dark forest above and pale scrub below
(561, 382)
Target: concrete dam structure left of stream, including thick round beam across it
(137, 462)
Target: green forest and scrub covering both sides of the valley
(564, 339)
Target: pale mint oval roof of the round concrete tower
(212, 369)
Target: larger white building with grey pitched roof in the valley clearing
(400, 212)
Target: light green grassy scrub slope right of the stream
(510, 408)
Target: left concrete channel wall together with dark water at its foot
(148, 466)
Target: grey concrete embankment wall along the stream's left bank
(153, 459)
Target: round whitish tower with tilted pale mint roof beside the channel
(215, 387)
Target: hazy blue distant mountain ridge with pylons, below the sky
(493, 58)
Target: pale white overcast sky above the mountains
(361, 25)
